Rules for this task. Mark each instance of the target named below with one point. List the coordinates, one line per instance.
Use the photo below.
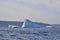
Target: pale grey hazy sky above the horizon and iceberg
(46, 11)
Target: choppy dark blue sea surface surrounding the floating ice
(42, 33)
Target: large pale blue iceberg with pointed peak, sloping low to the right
(29, 24)
